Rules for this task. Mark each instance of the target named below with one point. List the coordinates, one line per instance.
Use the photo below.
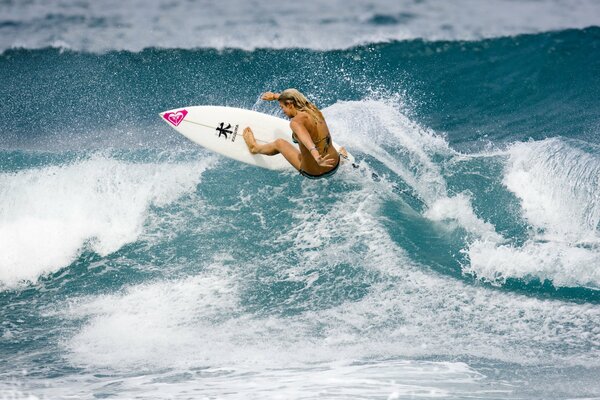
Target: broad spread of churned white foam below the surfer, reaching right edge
(202, 323)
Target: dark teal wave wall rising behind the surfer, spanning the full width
(497, 90)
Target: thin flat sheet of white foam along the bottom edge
(391, 379)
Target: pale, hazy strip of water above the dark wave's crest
(134, 25)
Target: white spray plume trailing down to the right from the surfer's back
(380, 129)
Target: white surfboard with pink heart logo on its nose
(220, 129)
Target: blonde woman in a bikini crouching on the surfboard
(317, 158)
